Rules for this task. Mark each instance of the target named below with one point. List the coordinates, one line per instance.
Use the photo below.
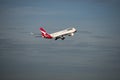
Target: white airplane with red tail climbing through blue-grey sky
(57, 35)
